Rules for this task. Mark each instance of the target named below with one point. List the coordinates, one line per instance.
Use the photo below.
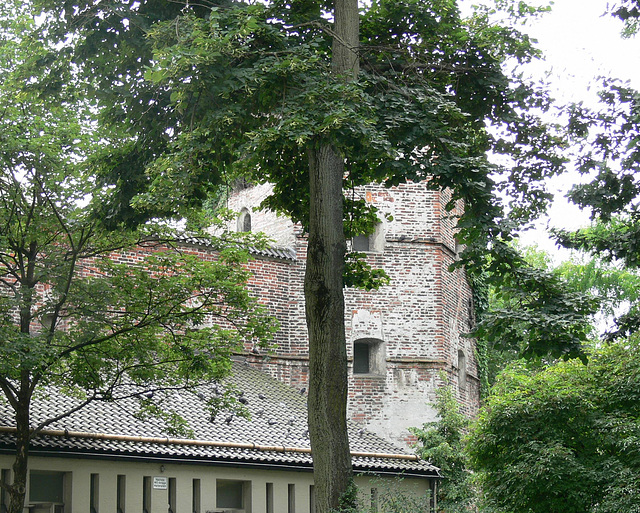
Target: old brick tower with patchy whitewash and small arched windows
(401, 339)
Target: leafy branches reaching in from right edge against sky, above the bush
(609, 153)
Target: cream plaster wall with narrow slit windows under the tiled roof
(80, 470)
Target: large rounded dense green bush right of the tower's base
(564, 439)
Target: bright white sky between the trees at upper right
(580, 43)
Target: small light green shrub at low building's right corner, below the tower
(441, 443)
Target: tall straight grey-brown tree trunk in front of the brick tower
(324, 297)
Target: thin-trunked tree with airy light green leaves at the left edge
(73, 314)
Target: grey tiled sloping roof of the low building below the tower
(274, 435)
